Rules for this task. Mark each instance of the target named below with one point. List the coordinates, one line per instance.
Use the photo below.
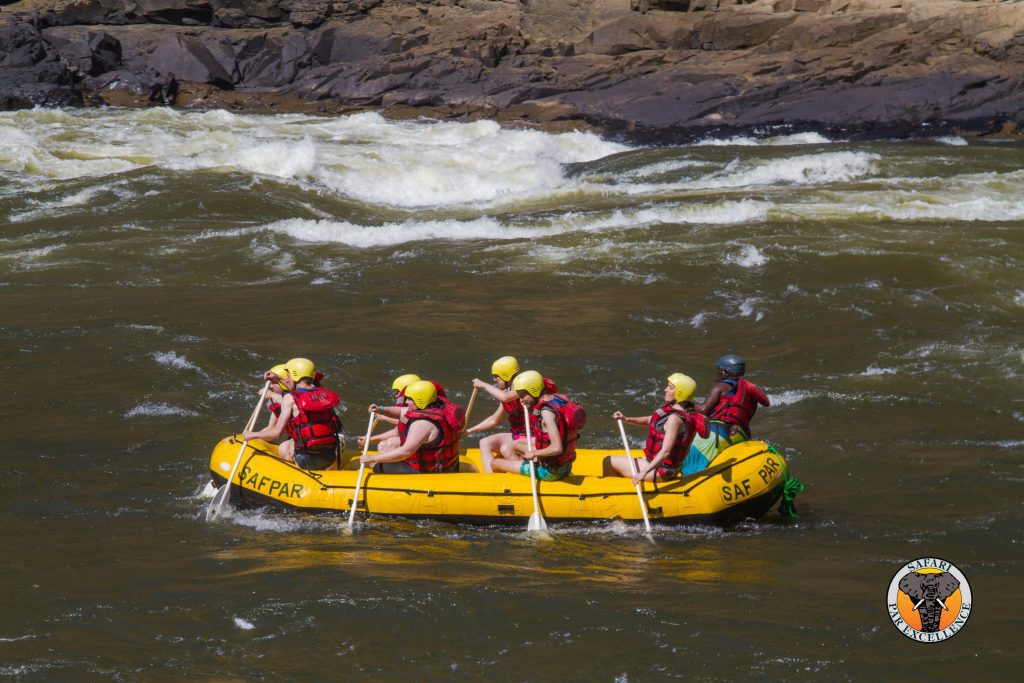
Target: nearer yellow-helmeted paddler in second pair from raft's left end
(429, 436)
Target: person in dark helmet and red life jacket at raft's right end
(731, 405)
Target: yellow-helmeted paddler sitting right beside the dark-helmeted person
(670, 433)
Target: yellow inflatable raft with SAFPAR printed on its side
(744, 482)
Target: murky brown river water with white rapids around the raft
(153, 264)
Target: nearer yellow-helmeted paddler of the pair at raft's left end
(309, 414)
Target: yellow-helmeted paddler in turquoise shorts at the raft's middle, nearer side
(556, 425)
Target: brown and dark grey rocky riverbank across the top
(652, 70)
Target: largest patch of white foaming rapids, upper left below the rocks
(404, 164)
